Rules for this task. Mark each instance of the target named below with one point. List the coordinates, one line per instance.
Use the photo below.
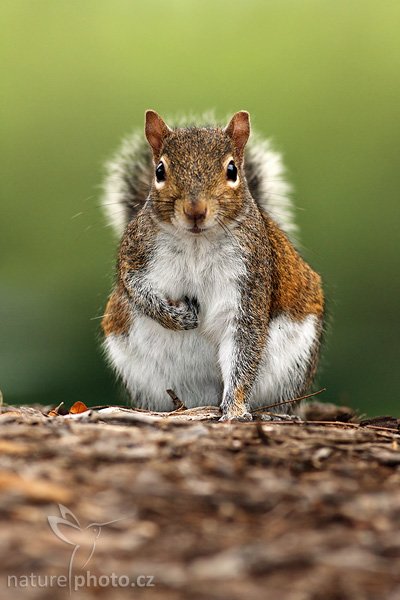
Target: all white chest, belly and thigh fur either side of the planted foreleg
(152, 359)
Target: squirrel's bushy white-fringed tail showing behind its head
(130, 171)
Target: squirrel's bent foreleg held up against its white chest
(179, 315)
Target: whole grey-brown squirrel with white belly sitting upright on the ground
(211, 298)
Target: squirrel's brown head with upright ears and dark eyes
(199, 180)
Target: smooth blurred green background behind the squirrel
(319, 77)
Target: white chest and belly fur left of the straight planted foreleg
(152, 358)
